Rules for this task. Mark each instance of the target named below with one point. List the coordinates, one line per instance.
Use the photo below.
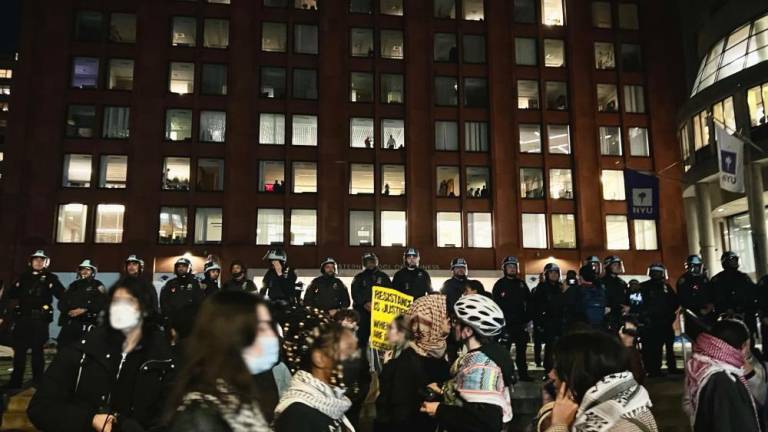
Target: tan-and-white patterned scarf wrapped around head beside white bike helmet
(429, 321)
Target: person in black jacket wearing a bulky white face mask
(116, 379)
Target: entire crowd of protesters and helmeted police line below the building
(210, 356)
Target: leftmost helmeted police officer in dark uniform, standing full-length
(31, 297)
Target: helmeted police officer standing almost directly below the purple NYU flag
(657, 316)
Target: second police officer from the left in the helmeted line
(80, 305)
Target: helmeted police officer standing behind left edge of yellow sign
(362, 294)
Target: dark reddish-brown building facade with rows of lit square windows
(461, 127)
